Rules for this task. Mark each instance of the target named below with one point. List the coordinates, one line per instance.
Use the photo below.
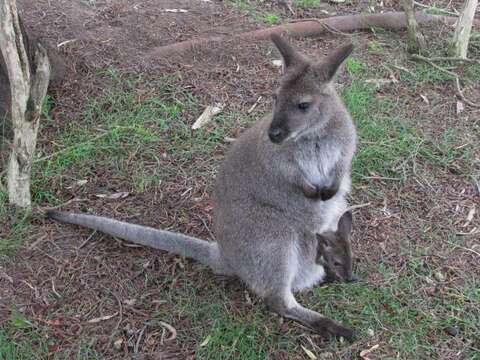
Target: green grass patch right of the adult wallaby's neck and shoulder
(389, 143)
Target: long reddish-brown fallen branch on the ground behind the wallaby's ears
(312, 27)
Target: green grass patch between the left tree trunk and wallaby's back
(121, 123)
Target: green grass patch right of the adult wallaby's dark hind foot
(410, 324)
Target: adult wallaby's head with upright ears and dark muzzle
(306, 97)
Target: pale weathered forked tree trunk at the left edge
(28, 87)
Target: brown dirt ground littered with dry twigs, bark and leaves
(63, 277)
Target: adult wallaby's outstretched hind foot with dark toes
(288, 307)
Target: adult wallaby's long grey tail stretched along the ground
(204, 251)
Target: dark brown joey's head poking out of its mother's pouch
(335, 251)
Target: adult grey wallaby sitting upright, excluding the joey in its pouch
(284, 180)
